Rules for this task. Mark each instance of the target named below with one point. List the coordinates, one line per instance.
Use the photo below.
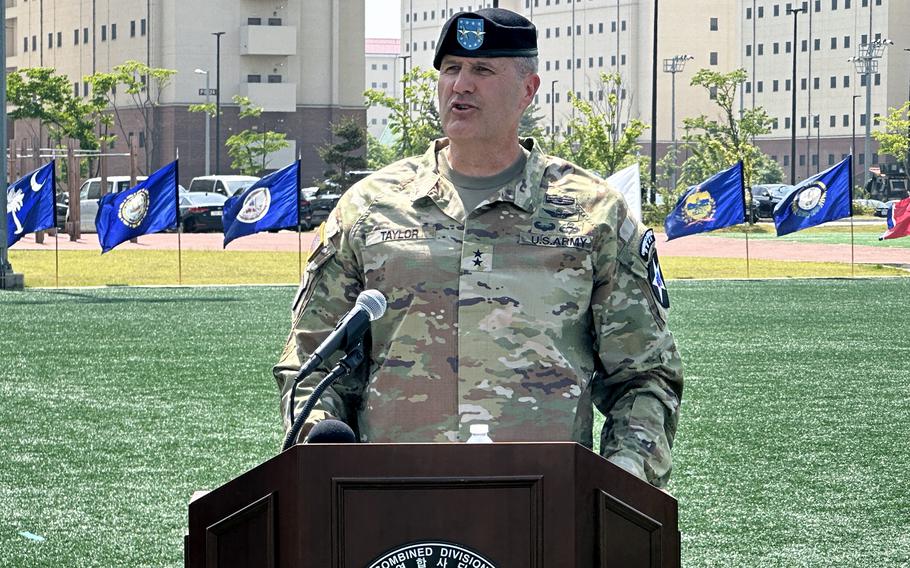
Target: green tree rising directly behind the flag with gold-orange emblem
(715, 145)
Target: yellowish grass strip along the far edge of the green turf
(160, 267)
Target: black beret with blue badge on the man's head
(490, 32)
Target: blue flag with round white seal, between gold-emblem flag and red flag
(821, 198)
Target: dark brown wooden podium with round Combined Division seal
(500, 505)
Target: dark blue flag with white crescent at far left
(30, 204)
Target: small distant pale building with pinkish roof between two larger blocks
(384, 66)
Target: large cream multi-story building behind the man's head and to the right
(579, 40)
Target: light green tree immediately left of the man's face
(417, 126)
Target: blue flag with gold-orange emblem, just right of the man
(718, 202)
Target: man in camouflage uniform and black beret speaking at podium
(521, 293)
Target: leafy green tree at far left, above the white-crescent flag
(39, 93)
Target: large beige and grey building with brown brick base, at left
(293, 58)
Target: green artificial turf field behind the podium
(118, 403)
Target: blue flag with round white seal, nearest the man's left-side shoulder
(271, 203)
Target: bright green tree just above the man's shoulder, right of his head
(595, 138)
